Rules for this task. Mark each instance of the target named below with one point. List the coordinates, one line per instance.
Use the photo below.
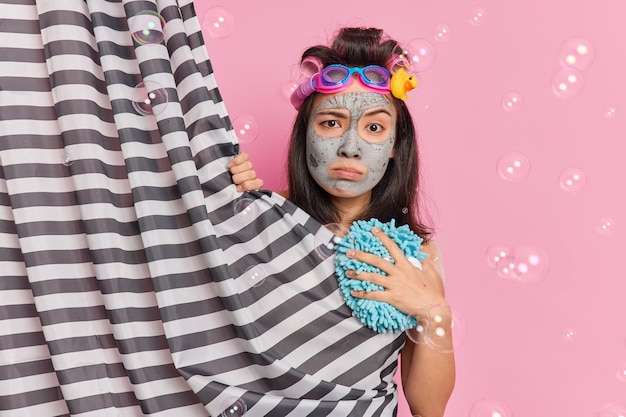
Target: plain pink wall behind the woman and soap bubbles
(555, 346)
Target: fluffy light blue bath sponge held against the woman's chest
(377, 315)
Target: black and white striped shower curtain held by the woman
(129, 282)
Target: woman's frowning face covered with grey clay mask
(349, 140)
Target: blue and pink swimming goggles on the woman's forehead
(335, 78)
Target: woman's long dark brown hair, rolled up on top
(396, 195)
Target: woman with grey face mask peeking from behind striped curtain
(353, 155)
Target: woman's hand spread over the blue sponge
(406, 287)
